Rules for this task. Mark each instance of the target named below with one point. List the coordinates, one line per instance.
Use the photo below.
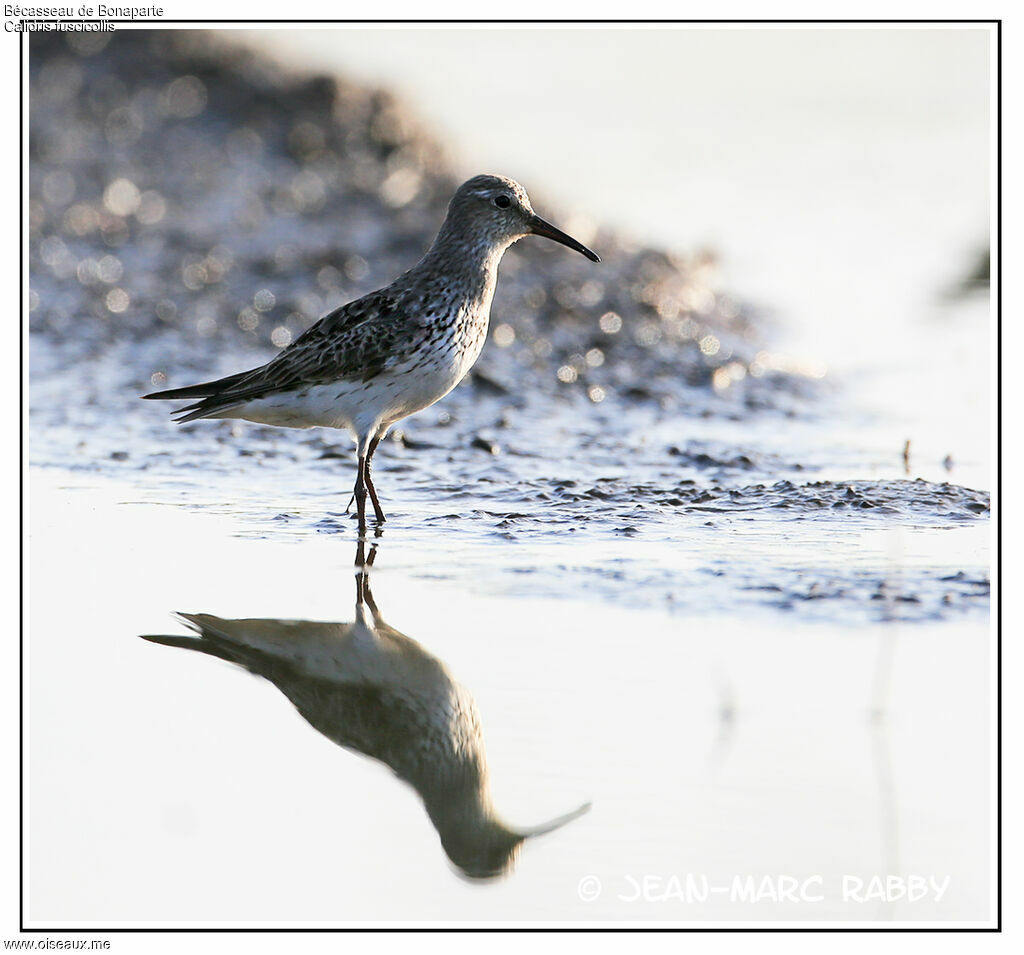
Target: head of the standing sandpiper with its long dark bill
(499, 208)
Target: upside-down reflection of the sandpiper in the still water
(368, 687)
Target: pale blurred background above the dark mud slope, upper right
(841, 175)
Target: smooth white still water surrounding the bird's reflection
(716, 746)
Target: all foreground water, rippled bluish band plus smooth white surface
(738, 652)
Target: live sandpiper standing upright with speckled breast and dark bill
(395, 352)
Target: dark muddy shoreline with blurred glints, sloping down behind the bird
(194, 208)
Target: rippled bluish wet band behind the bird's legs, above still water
(595, 495)
